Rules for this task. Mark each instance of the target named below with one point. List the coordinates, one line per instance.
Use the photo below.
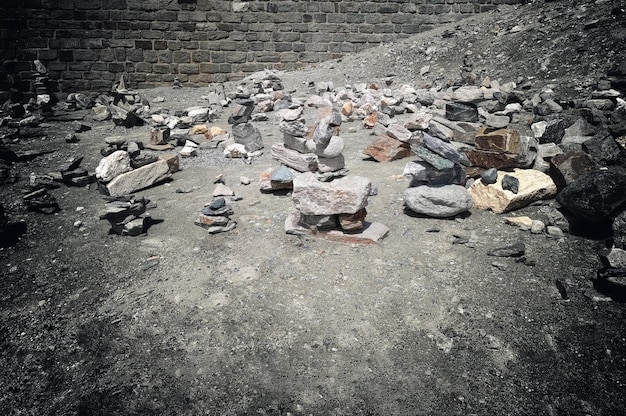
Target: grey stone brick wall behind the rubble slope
(87, 44)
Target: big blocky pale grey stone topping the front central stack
(345, 195)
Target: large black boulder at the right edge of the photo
(596, 196)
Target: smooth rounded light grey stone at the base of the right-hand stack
(438, 201)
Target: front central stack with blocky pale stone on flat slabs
(334, 209)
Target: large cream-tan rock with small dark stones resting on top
(533, 186)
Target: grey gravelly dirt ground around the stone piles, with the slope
(255, 321)
